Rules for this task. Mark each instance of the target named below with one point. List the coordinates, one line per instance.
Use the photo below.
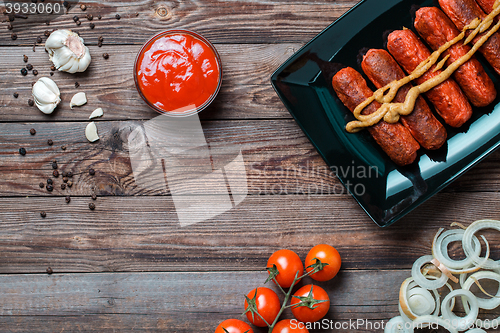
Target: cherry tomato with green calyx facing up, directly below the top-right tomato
(318, 311)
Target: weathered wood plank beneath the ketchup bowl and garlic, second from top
(246, 91)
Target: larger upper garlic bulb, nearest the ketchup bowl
(67, 51)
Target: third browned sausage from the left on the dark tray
(449, 101)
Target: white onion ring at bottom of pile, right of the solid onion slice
(463, 322)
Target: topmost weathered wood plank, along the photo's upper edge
(246, 21)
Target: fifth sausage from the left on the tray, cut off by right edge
(462, 12)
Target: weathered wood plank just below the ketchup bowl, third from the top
(278, 159)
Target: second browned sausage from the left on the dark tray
(382, 69)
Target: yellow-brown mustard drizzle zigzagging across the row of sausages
(391, 112)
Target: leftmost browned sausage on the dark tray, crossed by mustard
(394, 139)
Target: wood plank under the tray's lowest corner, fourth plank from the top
(144, 234)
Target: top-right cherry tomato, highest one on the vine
(326, 254)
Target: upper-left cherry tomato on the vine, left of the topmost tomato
(288, 264)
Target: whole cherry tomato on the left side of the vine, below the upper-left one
(268, 305)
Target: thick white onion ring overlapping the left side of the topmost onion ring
(440, 248)
